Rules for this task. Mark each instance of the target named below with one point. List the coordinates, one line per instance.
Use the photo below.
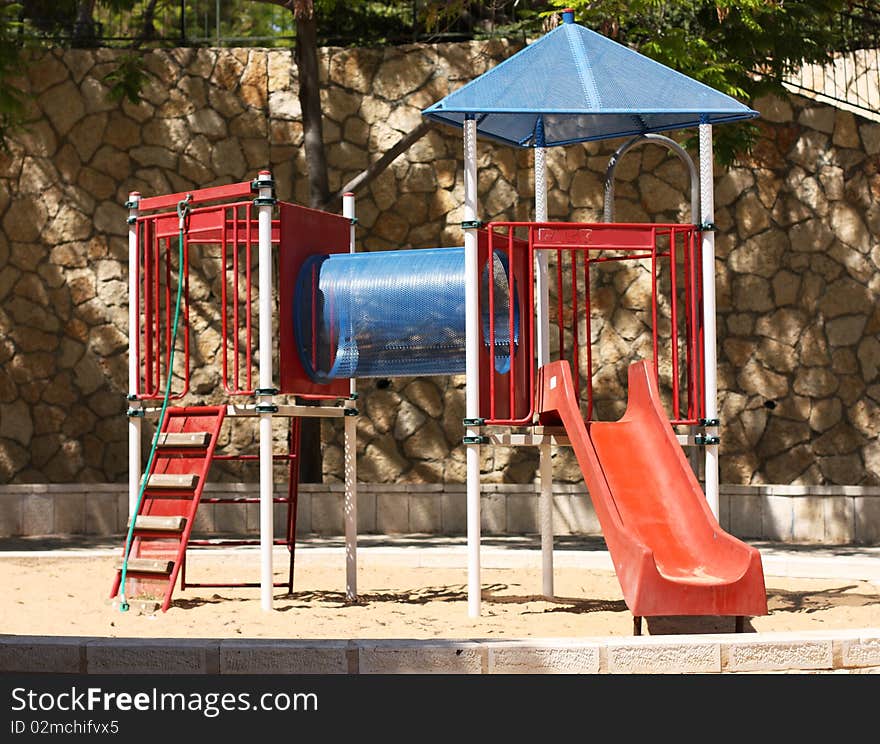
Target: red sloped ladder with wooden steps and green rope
(167, 512)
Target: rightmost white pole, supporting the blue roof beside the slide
(707, 200)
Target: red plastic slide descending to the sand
(670, 553)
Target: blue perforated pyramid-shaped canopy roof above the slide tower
(582, 86)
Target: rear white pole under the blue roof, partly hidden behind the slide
(545, 462)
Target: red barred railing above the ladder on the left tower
(232, 227)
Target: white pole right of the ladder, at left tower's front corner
(264, 397)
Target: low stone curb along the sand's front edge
(849, 651)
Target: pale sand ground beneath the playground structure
(66, 593)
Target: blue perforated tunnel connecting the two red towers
(393, 314)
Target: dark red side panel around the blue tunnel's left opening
(304, 232)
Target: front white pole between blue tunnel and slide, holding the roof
(472, 363)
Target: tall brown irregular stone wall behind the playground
(798, 256)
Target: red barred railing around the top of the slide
(576, 248)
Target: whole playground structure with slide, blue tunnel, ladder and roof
(344, 315)
